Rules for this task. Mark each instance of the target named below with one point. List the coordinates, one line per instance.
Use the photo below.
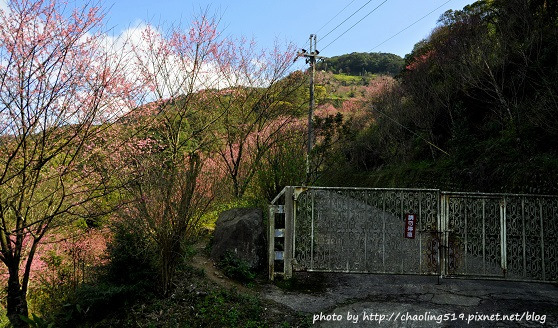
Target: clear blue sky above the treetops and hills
(293, 21)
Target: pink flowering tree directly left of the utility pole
(256, 106)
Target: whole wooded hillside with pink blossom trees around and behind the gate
(120, 153)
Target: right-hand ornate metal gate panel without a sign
(501, 235)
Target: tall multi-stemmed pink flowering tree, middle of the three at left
(172, 135)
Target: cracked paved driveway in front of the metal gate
(366, 300)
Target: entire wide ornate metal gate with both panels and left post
(453, 234)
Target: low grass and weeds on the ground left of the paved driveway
(198, 302)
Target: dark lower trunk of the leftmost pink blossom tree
(16, 299)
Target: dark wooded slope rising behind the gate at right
(475, 108)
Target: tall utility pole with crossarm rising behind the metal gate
(311, 57)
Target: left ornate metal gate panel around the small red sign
(362, 230)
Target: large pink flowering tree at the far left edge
(57, 84)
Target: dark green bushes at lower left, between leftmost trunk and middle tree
(129, 276)
